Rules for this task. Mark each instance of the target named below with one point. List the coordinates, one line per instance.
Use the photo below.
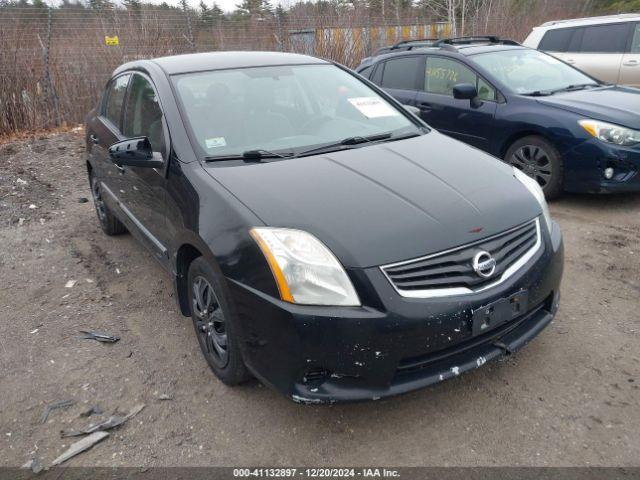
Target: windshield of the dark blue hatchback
(529, 71)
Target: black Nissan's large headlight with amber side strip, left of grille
(305, 270)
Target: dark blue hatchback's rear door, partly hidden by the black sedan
(400, 77)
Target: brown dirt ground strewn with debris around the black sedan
(569, 398)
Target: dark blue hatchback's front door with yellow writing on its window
(458, 118)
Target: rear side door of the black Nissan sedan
(105, 129)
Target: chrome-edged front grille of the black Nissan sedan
(451, 272)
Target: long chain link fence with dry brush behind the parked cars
(54, 61)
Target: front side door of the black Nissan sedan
(143, 189)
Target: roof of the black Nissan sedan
(198, 62)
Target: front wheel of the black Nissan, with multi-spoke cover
(214, 321)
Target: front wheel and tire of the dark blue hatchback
(539, 159)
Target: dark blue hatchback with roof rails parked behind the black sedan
(562, 127)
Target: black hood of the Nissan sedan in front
(387, 202)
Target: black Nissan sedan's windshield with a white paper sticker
(283, 108)
